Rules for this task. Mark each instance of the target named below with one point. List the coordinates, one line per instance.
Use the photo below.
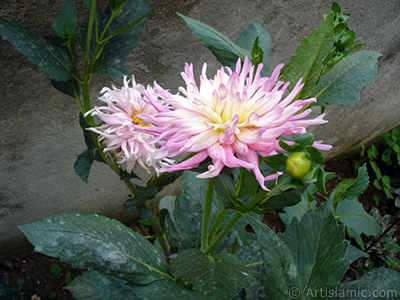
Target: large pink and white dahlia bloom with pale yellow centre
(231, 119)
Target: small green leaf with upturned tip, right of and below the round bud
(352, 188)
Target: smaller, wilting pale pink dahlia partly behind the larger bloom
(120, 132)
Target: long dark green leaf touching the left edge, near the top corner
(39, 51)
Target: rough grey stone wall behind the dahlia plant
(40, 135)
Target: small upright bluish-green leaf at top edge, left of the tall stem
(65, 24)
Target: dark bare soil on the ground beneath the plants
(39, 277)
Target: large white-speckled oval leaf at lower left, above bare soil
(95, 241)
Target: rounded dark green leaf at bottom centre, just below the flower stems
(219, 276)
